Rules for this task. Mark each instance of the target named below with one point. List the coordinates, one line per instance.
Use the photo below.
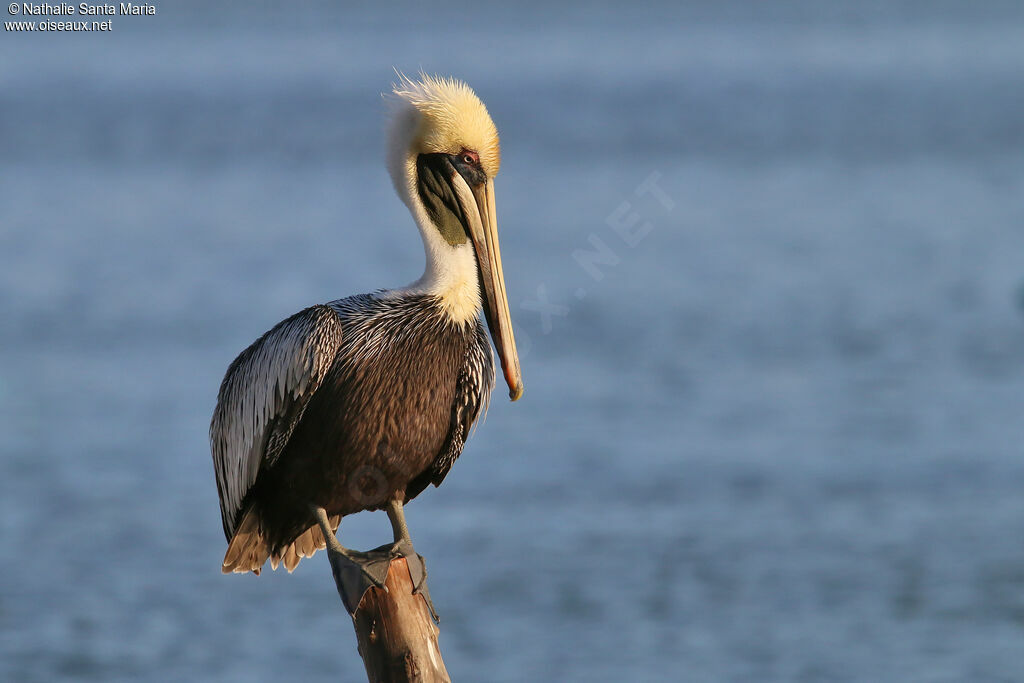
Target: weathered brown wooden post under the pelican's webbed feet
(397, 632)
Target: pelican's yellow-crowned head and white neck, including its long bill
(444, 155)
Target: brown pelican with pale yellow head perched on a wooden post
(361, 403)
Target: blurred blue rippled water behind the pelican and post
(779, 440)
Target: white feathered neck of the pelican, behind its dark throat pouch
(451, 273)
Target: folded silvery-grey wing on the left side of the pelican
(263, 399)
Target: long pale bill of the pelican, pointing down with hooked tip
(479, 208)
